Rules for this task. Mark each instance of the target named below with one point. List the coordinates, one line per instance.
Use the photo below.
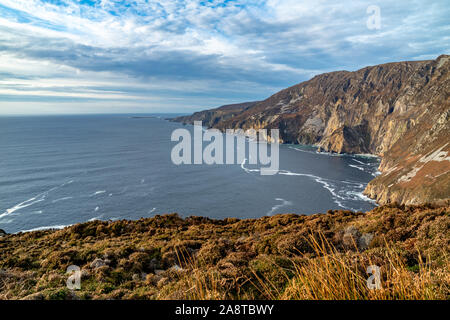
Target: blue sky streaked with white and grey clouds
(145, 56)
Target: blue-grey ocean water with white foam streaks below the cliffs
(61, 170)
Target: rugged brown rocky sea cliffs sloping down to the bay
(399, 111)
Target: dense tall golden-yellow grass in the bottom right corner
(336, 276)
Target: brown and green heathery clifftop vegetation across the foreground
(323, 256)
